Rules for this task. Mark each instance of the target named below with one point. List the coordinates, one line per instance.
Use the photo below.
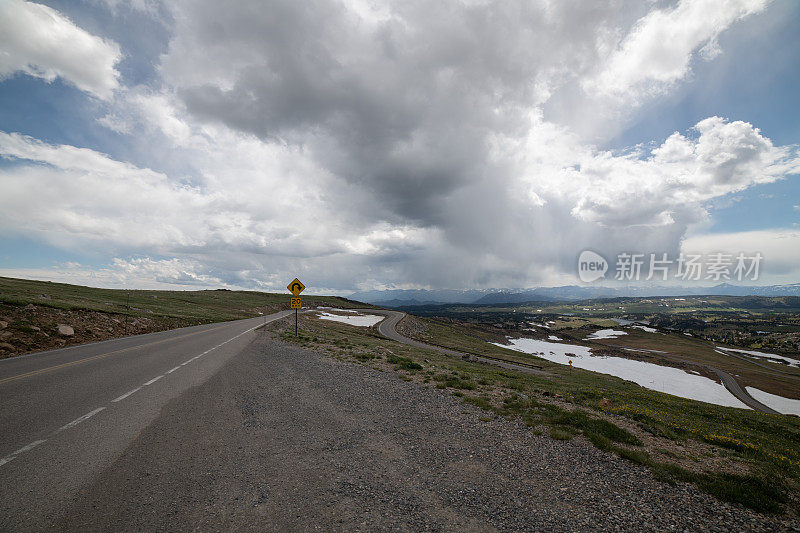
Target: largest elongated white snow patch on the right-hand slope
(660, 378)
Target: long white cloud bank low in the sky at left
(79, 194)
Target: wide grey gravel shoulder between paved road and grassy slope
(284, 439)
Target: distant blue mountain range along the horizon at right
(403, 298)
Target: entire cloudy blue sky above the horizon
(363, 144)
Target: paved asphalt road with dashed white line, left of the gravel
(66, 414)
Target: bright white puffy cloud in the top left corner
(39, 41)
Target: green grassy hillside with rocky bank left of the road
(33, 310)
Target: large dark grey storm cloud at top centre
(405, 106)
